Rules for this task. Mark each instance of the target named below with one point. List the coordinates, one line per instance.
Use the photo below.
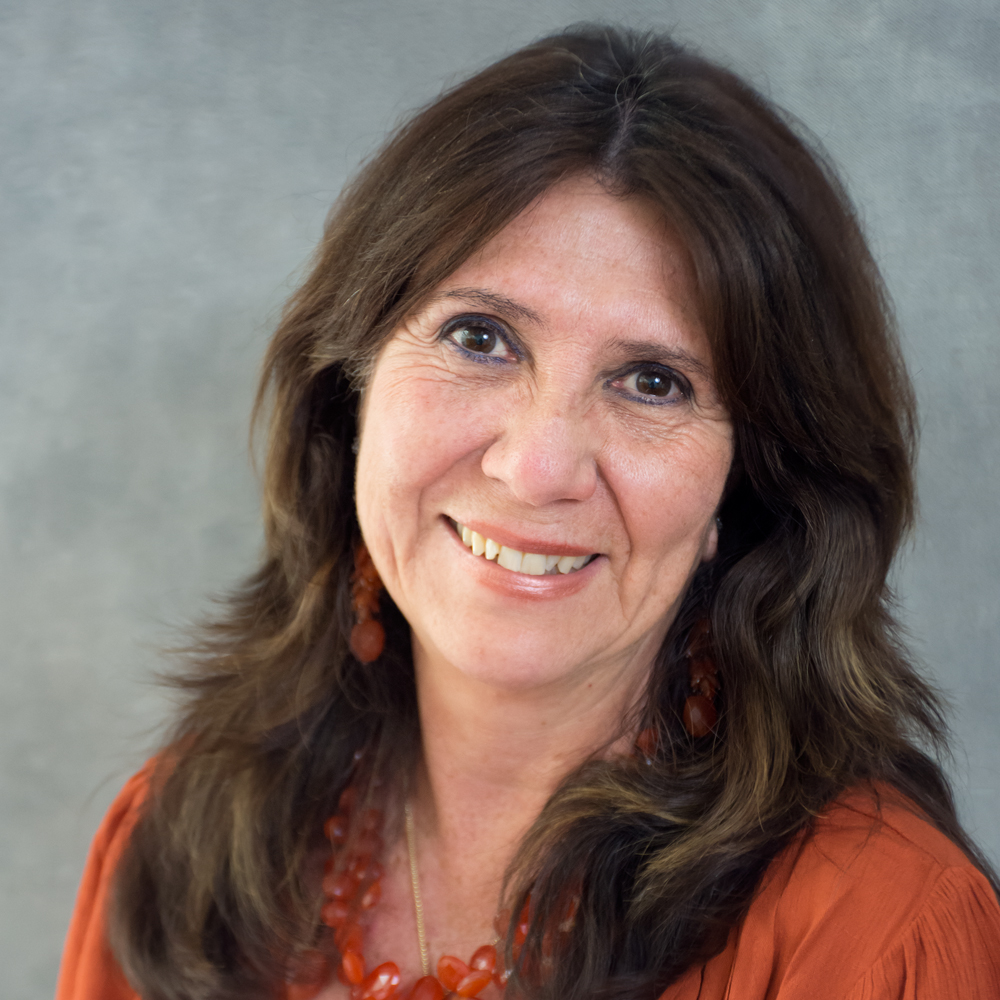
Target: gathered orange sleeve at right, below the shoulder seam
(951, 948)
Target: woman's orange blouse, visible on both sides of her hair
(872, 904)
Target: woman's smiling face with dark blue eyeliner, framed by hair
(554, 396)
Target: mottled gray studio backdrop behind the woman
(166, 167)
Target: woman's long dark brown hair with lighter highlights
(213, 894)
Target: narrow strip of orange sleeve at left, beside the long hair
(89, 971)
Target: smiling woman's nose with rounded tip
(545, 453)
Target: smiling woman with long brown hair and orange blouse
(595, 375)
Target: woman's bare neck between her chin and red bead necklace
(492, 757)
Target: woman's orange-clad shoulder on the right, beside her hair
(871, 898)
